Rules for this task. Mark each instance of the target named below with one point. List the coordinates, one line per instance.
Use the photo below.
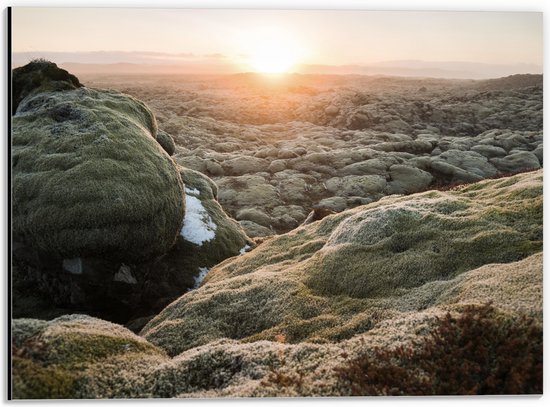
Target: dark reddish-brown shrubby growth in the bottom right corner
(480, 351)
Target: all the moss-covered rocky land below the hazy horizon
(388, 229)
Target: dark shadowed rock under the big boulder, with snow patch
(131, 291)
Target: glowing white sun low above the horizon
(273, 52)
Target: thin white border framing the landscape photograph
(445, 5)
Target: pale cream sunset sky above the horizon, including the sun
(256, 38)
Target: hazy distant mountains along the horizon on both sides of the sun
(161, 63)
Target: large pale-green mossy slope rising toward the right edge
(349, 272)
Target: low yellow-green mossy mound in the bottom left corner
(76, 356)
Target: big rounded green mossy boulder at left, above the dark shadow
(89, 180)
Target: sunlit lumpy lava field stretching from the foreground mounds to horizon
(280, 147)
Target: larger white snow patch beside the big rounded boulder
(198, 226)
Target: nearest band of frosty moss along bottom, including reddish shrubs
(471, 343)
